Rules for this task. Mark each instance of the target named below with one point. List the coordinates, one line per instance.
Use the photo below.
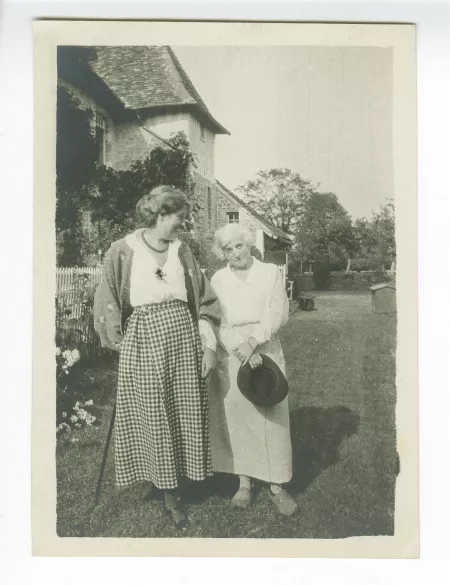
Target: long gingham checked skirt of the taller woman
(162, 403)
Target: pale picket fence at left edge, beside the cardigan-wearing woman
(75, 288)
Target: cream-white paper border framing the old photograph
(49, 34)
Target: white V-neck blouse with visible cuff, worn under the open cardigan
(147, 287)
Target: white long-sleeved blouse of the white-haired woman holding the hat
(260, 301)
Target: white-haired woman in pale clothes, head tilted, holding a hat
(247, 440)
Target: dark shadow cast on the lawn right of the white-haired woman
(317, 434)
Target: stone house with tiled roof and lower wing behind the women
(140, 96)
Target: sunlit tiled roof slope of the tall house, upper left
(149, 77)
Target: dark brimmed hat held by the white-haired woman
(265, 385)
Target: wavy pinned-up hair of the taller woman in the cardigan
(162, 200)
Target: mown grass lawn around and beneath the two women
(341, 367)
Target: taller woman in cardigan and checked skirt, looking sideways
(156, 308)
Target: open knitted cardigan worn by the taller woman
(112, 305)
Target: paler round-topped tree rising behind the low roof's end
(280, 195)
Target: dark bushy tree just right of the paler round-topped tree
(324, 228)
